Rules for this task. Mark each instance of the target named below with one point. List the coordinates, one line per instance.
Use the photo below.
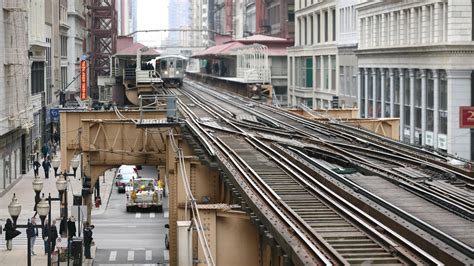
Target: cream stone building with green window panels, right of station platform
(312, 62)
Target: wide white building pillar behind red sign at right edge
(459, 94)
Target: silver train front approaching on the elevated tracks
(171, 69)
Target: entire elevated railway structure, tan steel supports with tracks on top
(253, 179)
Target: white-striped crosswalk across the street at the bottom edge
(134, 256)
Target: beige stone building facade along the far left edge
(16, 110)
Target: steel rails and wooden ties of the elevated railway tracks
(301, 176)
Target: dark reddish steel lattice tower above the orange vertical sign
(102, 28)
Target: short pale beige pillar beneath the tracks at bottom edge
(185, 243)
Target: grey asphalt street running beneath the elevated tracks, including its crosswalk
(130, 238)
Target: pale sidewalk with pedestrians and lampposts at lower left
(25, 195)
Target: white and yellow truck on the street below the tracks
(143, 193)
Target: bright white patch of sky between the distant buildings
(152, 14)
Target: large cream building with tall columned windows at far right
(416, 62)
